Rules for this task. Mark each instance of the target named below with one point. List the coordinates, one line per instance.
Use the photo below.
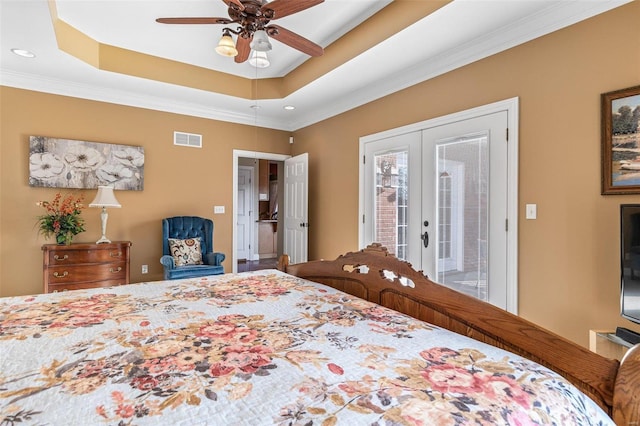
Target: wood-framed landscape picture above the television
(621, 141)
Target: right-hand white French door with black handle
(464, 206)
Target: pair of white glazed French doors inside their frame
(437, 197)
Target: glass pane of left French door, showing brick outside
(391, 201)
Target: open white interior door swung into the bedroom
(296, 210)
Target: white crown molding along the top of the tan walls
(555, 17)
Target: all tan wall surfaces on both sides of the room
(568, 269)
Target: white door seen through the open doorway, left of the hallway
(244, 213)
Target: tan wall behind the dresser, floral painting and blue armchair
(178, 180)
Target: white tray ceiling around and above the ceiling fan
(459, 33)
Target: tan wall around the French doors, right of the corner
(569, 267)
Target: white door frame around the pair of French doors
(512, 107)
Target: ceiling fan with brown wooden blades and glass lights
(253, 18)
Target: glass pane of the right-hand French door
(463, 214)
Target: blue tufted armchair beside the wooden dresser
(184, 227)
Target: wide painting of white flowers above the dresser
(66, 163)
